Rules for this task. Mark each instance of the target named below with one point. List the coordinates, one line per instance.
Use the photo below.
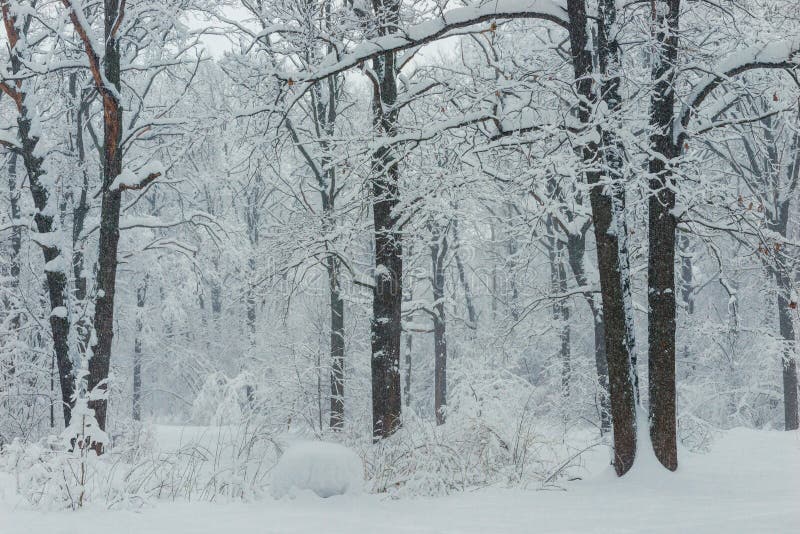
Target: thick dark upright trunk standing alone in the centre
(387, 298)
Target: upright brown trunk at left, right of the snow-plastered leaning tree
(100, 362)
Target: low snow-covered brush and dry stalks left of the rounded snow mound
(226, 462)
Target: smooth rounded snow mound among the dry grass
(327, 469)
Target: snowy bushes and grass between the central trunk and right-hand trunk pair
(491, 436)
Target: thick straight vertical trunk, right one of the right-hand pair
(662, 230)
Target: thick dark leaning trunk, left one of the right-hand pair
(621, 381)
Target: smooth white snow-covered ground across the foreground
(750, 482)
